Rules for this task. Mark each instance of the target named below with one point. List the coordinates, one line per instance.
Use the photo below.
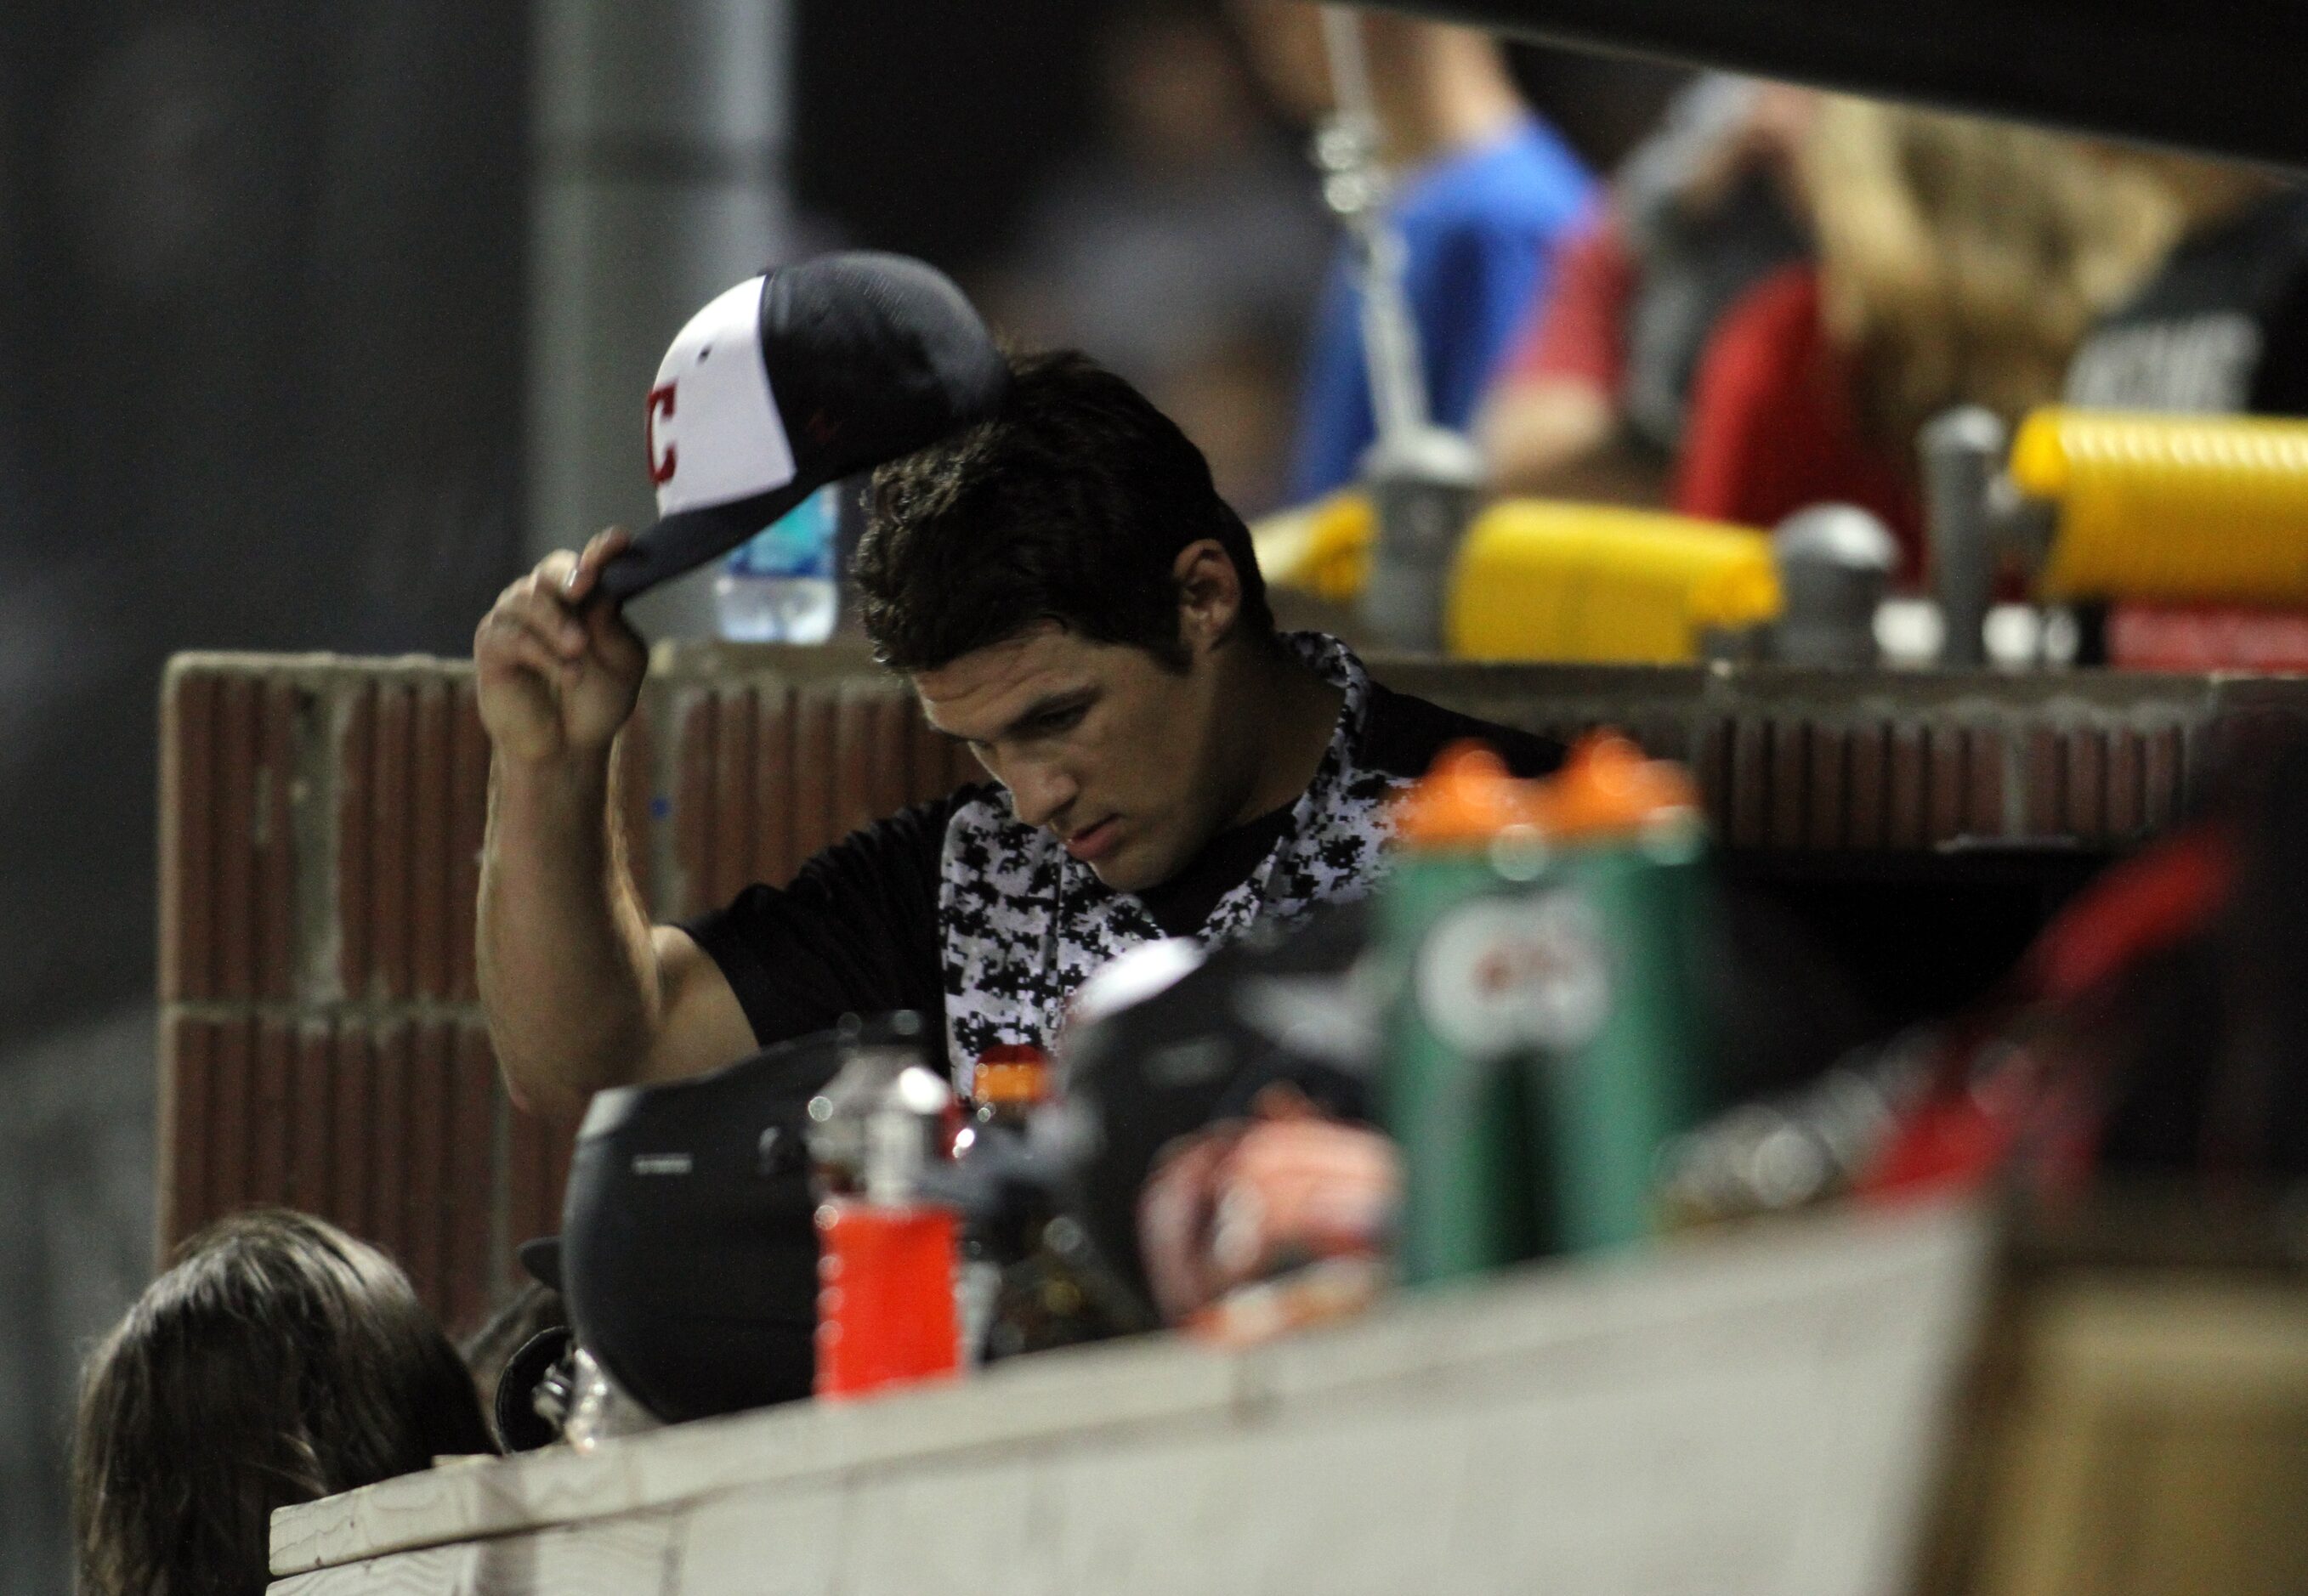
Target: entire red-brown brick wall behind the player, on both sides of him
(322, 820)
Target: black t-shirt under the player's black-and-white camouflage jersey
(857, 931)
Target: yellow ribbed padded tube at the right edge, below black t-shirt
(2171, 506)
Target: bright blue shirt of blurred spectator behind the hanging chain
(1481, 234)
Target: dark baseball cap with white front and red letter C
(795, 379)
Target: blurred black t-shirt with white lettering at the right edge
(2219, 331)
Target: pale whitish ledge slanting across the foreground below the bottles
(1741, 1413)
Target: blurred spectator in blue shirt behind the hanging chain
(1485, 197)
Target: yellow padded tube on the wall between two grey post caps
(1594, 582)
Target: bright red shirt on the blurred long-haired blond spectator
(1776, 428)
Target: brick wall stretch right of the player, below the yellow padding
(1868, 762)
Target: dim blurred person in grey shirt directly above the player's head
(1185, 250)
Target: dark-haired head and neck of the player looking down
(1072, 598)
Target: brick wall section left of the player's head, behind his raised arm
(322, 820)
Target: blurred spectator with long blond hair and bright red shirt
(1958, 264)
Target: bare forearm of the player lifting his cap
(567, 965)
